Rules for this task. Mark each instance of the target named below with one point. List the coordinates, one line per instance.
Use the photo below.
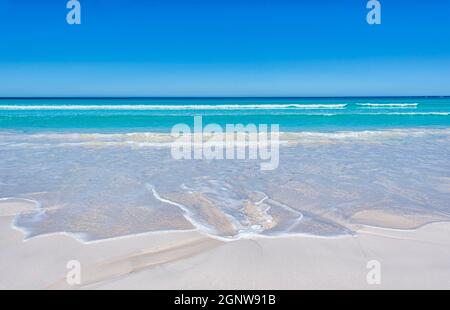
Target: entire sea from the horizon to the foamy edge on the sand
(102, 168)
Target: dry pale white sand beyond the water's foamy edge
(190, 260)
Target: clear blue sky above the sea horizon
(224, 48)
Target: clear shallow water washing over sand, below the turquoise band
(102, 186)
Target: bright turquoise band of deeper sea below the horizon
(159, 115)
